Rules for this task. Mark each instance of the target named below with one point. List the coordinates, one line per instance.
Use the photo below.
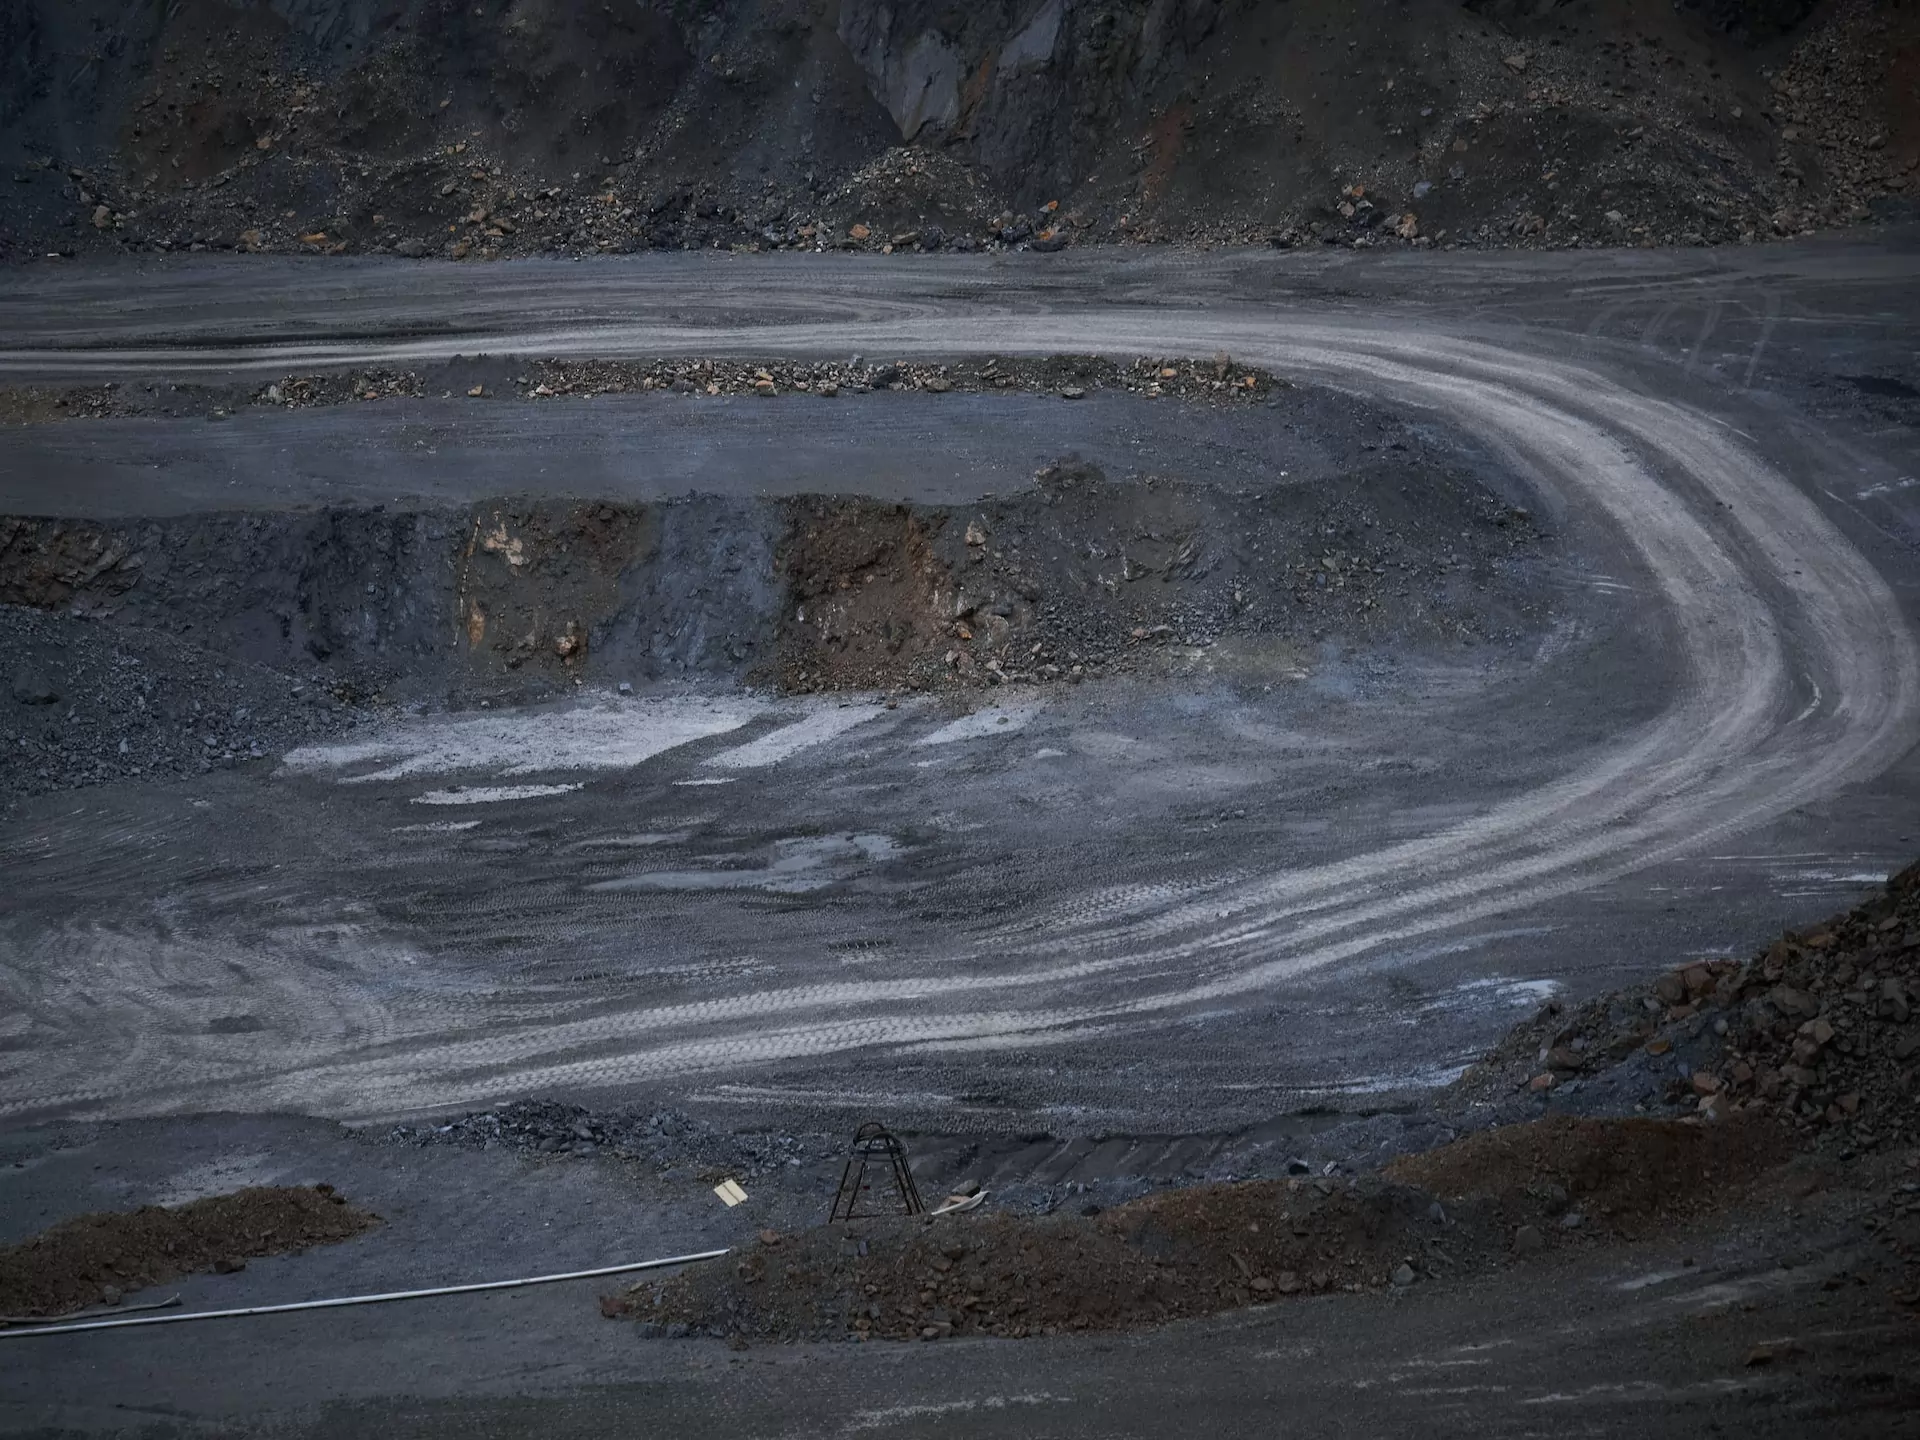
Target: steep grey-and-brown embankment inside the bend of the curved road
(1072, 579)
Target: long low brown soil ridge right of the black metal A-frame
(1483, 1203)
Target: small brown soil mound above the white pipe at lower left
(97, 1259)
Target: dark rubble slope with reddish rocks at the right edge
(1819, 1032)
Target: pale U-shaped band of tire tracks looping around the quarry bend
(1760, 592)
